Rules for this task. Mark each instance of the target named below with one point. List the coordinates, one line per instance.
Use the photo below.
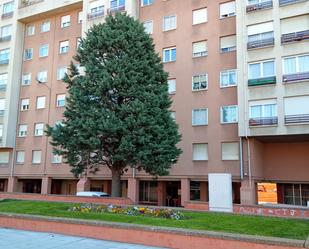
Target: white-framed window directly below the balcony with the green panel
(263, 109)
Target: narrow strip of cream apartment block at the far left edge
(9, 84)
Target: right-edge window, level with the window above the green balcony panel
(296, 64)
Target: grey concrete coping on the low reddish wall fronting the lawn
(178, 231)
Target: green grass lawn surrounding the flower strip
(254, 225)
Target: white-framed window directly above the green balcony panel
(261, 69)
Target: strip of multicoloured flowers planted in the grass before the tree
(132, 211)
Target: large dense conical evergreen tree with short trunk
(117, 113)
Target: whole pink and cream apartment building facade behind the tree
(231, 112)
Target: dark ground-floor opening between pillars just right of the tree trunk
(148, 192)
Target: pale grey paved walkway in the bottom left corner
(17, 239)
